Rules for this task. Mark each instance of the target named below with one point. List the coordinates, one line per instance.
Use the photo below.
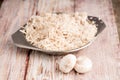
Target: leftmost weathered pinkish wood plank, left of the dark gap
(13, 14)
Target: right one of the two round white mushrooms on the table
(83, 64)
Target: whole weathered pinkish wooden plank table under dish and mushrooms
(22, 64)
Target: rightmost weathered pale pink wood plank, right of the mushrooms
(105, 50)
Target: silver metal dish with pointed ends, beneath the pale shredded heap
(20, 41)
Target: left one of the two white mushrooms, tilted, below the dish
(67, 63)
